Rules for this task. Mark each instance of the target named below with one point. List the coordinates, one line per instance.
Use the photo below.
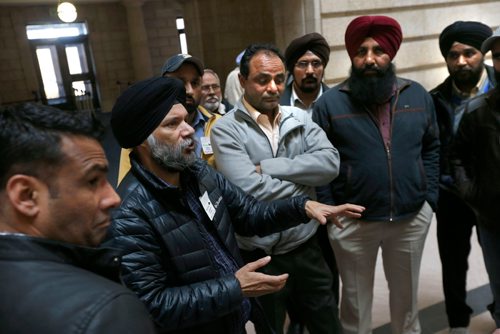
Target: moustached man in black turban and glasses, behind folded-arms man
(306, 59)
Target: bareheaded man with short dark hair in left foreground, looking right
(55, 204)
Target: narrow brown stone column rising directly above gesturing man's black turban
(139, 46)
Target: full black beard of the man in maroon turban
(372, 89)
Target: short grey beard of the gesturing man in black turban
(171, 157)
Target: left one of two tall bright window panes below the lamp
(49, 69)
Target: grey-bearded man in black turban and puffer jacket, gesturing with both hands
(178, 218)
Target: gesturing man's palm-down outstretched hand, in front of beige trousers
(324, 213)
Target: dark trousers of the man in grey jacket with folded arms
(309, 288)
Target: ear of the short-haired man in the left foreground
(24, 194)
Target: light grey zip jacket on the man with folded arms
(305, 159)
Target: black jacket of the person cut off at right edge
(475, 157)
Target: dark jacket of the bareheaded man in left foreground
(49, 287)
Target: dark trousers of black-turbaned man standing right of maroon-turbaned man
(455, 221)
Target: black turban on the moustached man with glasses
(313, 42)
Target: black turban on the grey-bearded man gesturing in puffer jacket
(141, 107)
